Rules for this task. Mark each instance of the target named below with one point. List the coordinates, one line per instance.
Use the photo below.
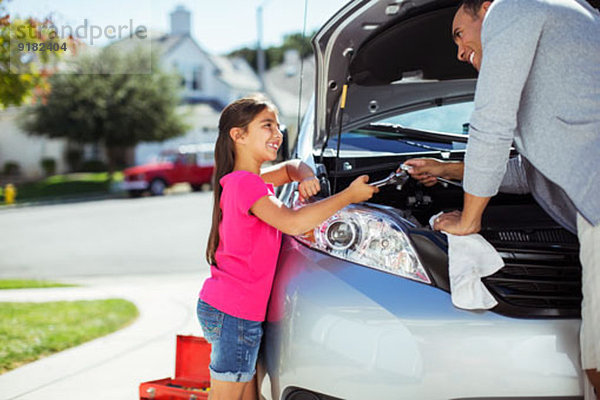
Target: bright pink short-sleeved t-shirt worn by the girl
(246, 257)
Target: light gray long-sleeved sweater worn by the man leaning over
(539, 86)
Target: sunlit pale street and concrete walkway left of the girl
(149, 251)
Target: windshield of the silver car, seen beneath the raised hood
(439, 129)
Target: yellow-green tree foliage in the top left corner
(24, 74)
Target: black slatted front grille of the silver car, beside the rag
(541, 276)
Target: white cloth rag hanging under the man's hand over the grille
(470, 258)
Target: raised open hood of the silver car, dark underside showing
(392, 55)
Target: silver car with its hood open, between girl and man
(361, 306)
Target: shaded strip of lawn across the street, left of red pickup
(58, 186)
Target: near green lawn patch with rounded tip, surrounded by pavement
(29, 331)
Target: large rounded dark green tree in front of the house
(102, 103)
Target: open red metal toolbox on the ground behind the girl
(192, 377)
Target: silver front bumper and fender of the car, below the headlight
(352, 332)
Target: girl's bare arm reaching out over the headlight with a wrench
(294, 222)
